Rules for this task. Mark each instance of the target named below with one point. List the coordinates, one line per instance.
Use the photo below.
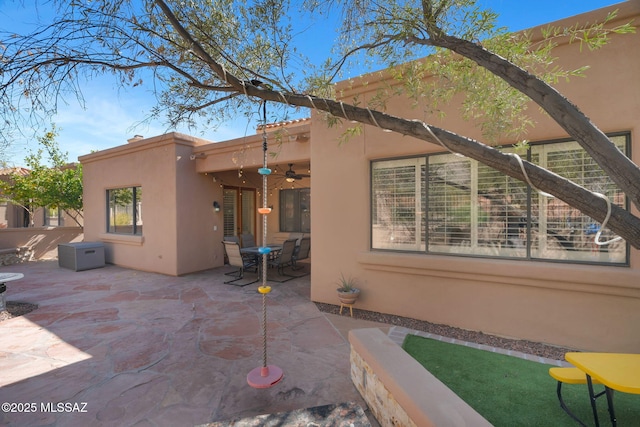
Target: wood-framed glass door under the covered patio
(239, 209)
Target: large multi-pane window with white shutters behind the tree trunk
(453, 205)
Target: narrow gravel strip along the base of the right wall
(524, 346)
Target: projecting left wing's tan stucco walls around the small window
(178, 231)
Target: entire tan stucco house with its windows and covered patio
(426, 234)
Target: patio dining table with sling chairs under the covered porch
(243, 254)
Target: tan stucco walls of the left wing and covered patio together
(181, 176)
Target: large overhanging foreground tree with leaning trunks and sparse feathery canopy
(216, 58)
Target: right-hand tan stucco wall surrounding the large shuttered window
(582, 306)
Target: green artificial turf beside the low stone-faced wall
(509, 391)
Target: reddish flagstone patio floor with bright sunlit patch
(125, 347)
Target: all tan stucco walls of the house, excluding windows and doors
(583, 306)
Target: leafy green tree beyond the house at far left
(54, 184)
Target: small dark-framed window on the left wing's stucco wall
(124, 210)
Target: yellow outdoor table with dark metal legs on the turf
(616, 371)
